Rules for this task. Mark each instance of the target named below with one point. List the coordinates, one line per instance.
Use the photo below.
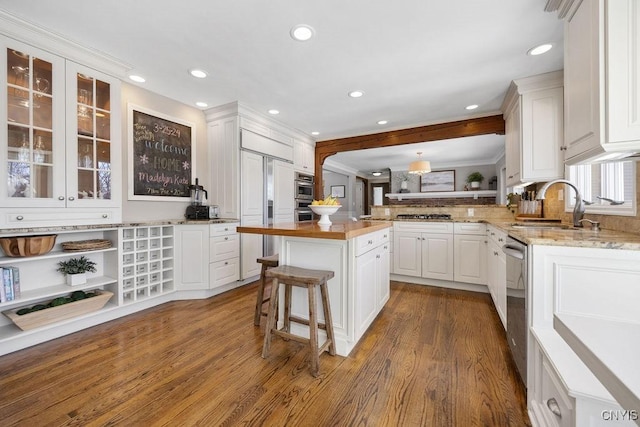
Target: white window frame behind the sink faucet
(582, 179)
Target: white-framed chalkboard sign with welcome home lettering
(161, 157)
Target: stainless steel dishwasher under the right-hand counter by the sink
(517, 318)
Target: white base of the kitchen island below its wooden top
(358, 290)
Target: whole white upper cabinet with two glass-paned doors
(59, 146)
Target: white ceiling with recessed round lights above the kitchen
(418, 61)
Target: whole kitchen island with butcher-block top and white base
(358, 254)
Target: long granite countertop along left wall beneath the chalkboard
(66, 228)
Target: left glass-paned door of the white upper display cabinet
(34, 125)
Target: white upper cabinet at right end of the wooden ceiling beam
(533, 111)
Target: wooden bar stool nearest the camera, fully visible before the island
(303, 278)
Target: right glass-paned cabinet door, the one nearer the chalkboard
(92, 97)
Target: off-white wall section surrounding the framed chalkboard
(160, 209)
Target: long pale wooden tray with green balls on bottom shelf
(36, 319)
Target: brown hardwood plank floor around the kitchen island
(433, 357)
